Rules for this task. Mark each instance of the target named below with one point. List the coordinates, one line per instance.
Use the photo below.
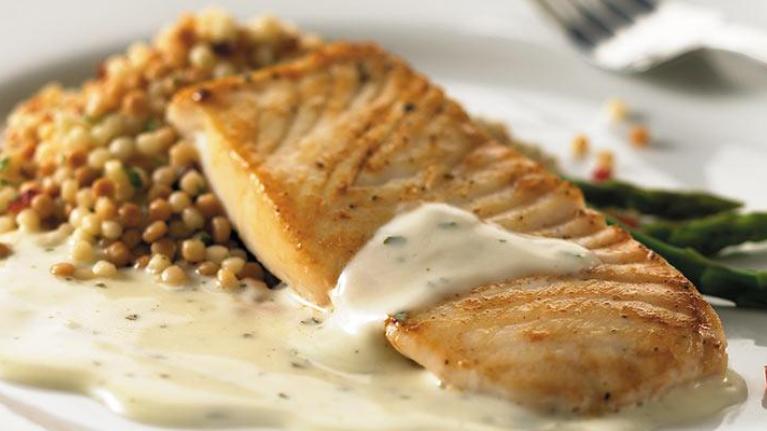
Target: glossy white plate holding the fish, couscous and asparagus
(706, 112)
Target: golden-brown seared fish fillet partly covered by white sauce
(310, 158)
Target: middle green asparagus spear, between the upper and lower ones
(711, 234)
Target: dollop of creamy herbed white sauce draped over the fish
(436, 251)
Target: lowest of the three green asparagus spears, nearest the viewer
(746, 288)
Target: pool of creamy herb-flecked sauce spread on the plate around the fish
(201, 357)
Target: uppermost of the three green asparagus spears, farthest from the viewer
(662, 203)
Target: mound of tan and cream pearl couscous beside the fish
(102, 159)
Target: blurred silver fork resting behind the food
(636, 35)
